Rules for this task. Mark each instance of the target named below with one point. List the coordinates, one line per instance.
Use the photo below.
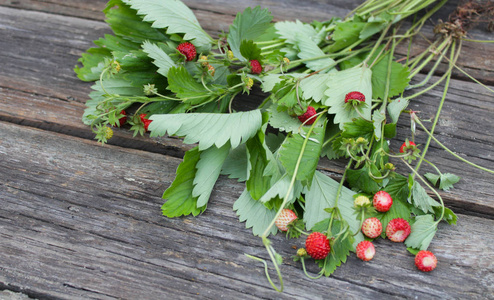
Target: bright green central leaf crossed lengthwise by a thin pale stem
(290, 151)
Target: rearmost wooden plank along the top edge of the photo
(216, 16)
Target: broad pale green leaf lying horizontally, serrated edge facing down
(208, 129)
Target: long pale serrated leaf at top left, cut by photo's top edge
(176, 17)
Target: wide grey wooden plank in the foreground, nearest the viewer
(80, 220)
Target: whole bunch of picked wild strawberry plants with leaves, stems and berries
(334, 89)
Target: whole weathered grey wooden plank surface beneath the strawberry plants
(80, 220)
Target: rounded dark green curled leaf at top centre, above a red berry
(248, 25)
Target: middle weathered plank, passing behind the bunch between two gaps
(55, 102)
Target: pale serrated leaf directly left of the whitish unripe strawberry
(254, 214)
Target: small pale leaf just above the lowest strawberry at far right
(422, 232)
